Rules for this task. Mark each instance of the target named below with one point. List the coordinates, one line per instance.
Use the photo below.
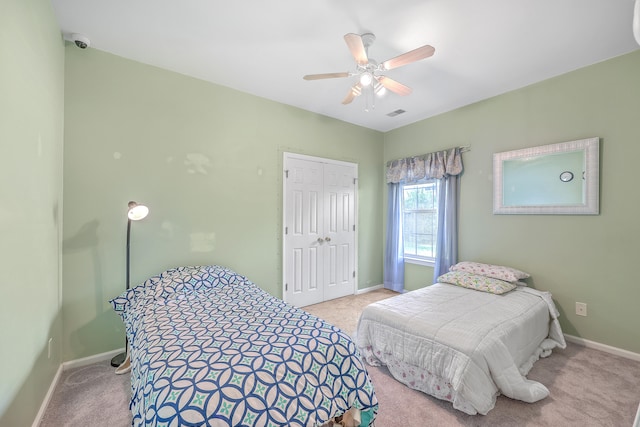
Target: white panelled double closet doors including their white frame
(319, 230)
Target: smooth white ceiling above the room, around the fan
(483, 48)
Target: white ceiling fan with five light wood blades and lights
(369, 72)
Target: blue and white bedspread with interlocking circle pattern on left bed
(210, 348)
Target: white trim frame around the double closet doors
(289, 155)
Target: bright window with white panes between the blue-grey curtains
(420, 221)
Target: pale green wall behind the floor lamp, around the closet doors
(207, 160)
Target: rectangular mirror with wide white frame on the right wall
(554, 179)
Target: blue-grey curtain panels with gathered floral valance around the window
(445, 166)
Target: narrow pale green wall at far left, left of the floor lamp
(31, 139)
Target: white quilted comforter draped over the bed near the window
(474, 343)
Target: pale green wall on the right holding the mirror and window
(590, 259)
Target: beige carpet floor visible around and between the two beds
(588, 388)
